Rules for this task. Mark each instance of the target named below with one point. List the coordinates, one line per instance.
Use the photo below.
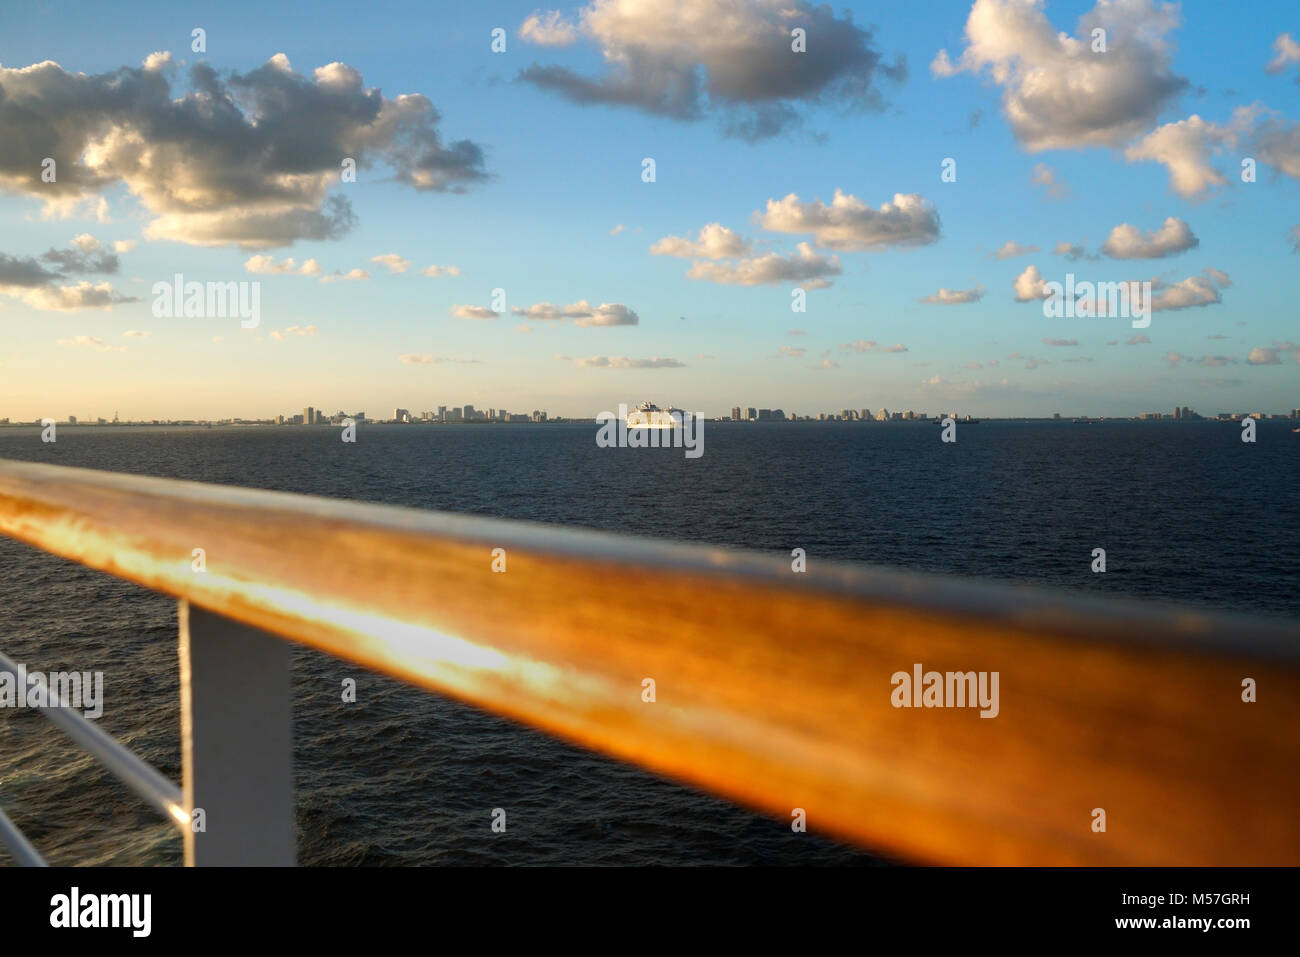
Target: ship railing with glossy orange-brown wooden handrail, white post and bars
(1120, 733)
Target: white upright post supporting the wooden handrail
(237, 743)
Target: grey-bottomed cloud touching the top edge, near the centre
(684, 58)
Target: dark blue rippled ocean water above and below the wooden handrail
(1185, 510)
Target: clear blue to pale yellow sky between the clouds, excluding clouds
(562, 175)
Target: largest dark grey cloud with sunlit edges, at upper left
(239, 158)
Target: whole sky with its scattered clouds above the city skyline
(915, 174)
